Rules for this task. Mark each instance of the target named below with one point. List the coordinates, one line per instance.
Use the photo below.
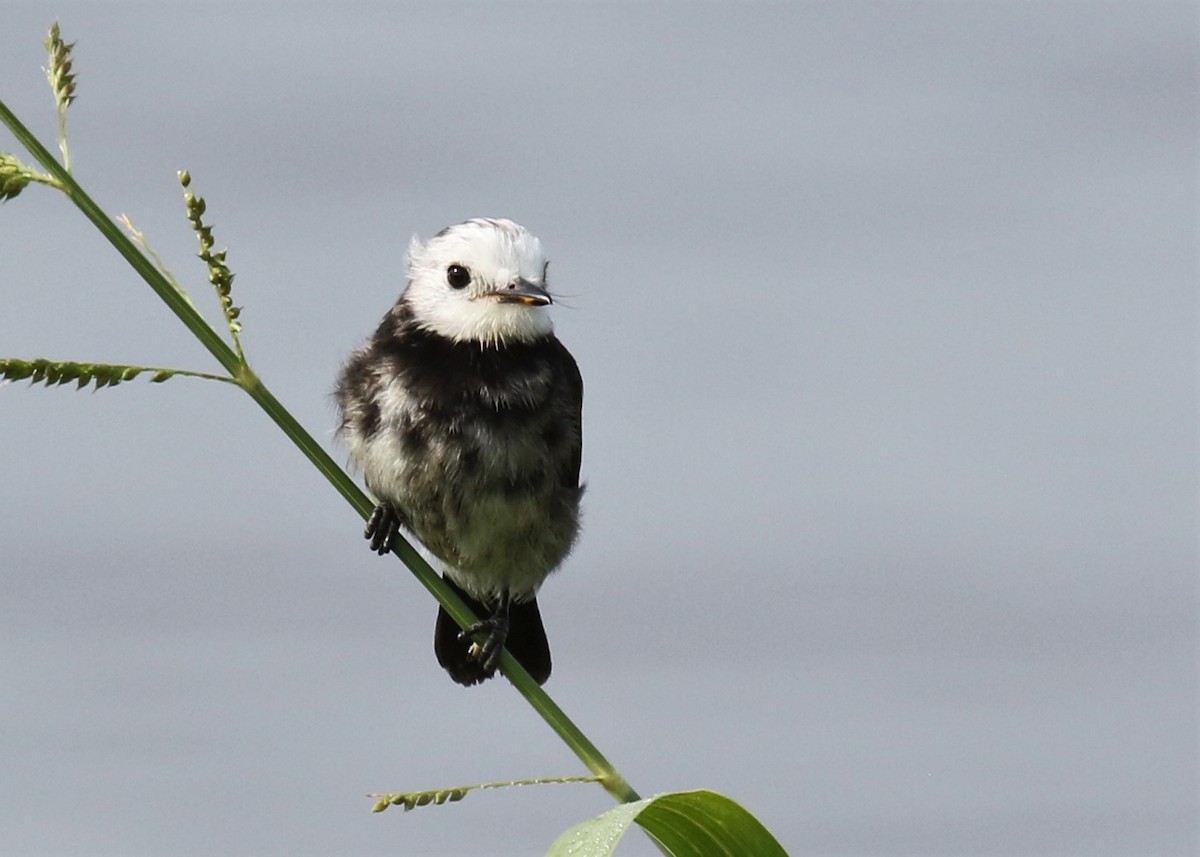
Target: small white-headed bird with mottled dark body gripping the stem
(464, 413)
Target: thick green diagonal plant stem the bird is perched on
(245, 377)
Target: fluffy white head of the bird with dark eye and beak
(483, 281)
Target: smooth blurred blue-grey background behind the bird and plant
(887, 319)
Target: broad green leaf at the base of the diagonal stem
(685, 824)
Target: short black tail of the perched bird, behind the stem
(526, 642)
